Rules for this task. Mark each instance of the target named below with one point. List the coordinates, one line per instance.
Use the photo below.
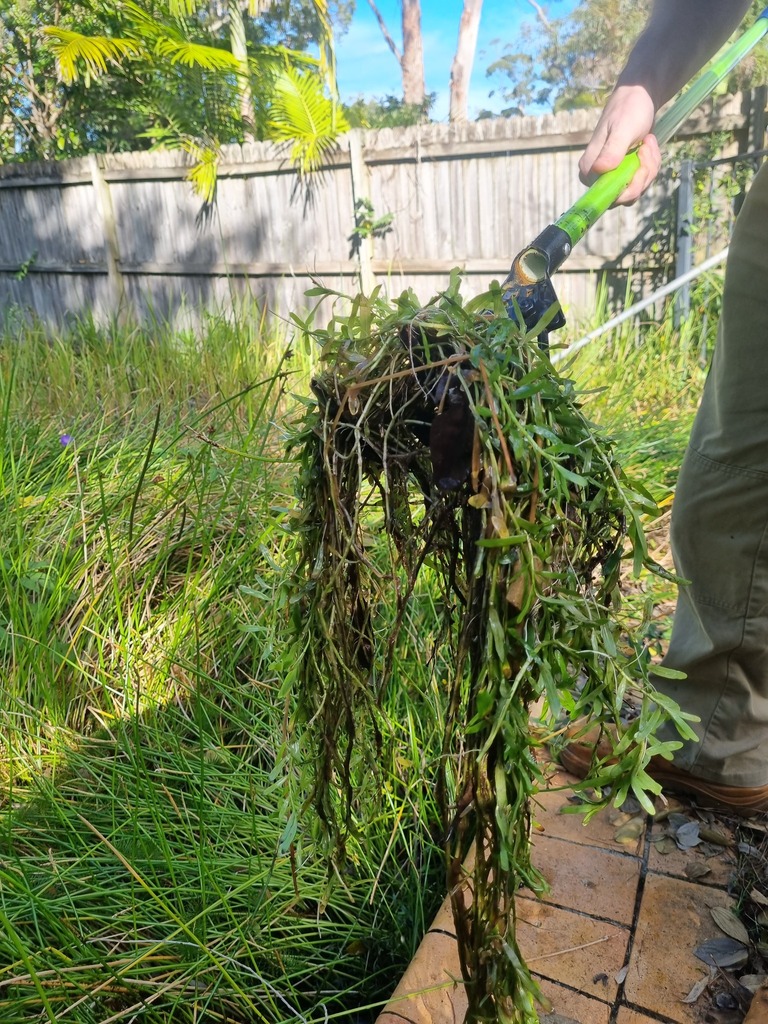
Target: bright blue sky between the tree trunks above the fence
(367, 67)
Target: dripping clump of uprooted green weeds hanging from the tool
(450, 476)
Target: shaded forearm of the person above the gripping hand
(679, 39)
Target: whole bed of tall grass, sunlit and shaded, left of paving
(151, 869)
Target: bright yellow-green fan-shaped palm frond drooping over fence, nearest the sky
(304, 114)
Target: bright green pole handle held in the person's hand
(610, 187)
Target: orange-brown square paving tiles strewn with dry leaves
(631, 898)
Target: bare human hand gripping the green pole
(625, 124)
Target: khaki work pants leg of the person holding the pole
(720, 530)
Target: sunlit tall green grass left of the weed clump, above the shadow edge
(130, 522)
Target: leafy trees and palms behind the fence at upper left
(127, 75)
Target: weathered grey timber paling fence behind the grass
(127, 232)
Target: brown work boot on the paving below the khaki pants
(578, 757)
